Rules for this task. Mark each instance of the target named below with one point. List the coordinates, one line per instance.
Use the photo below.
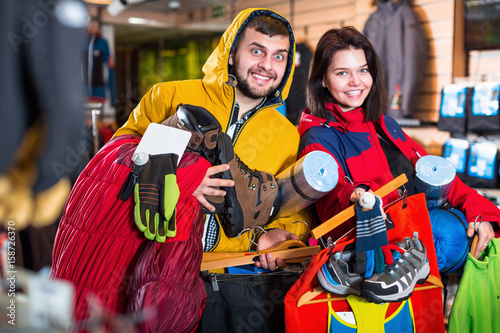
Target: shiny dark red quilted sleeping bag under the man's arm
(98, 245)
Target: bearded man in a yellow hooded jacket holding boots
(246, 78)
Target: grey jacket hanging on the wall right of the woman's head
(402, 47)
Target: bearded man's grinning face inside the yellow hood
(259, 63)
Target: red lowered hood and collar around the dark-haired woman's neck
(337, 119)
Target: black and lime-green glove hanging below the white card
(156, 194)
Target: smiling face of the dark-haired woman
(348, 79)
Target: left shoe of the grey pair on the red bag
(334, 276)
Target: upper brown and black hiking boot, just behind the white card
(202, 125)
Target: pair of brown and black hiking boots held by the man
(254, 199)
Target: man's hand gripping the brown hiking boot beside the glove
(210, 186)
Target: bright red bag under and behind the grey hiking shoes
(409, 215)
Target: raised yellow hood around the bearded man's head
(216, 68)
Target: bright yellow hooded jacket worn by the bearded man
(267, 141)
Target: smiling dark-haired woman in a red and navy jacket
(346, 98)
